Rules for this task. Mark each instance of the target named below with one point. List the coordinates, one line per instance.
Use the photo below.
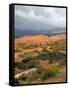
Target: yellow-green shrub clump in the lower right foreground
(44, 74)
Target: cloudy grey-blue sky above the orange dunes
(40, 19)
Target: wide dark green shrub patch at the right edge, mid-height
(52, 55)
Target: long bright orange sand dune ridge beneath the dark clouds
(39, 38)
